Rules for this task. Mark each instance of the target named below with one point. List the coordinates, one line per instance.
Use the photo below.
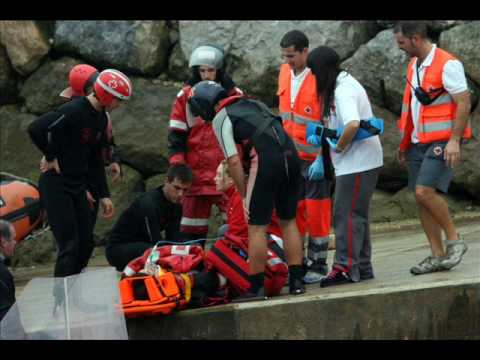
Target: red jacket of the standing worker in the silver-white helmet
(192, 141)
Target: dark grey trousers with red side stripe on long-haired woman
(353, 193)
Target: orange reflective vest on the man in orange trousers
(307, 108)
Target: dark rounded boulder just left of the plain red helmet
(41, 90)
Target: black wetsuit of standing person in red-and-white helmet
(74, 134)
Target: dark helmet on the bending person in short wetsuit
(205, 95)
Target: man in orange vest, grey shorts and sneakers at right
(434, 120)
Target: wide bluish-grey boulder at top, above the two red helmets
(133, 46)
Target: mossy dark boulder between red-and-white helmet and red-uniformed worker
(141, 126)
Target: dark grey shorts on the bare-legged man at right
(427, 167)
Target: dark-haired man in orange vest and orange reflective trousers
(300, 105)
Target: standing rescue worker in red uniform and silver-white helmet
(192, 141)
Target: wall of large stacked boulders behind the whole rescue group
(36, 56)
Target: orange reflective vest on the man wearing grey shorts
(437, 119)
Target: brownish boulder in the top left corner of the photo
(27, 43)
